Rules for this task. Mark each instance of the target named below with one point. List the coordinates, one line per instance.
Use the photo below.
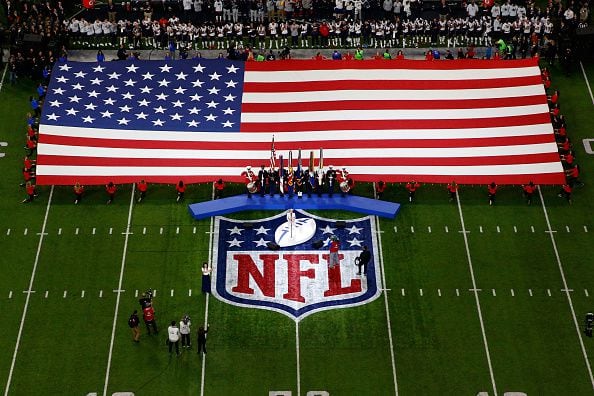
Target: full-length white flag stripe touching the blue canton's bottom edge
(305, 136)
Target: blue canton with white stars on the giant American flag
(183, 95)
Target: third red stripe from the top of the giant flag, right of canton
(479, 104)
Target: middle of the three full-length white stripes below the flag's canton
(439, 152)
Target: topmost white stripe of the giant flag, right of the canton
(388, 74)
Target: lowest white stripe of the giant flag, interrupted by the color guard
(143, 171)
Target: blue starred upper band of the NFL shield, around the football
(233, 236)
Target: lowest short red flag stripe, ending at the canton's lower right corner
(371, 125)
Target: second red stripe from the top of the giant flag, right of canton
(394, 85)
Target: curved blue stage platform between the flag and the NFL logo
(238, 203)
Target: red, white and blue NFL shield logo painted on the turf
(269, 264)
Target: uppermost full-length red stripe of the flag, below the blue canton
(304, 145)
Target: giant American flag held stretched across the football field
(471, 121)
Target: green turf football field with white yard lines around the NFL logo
(477, 298)
